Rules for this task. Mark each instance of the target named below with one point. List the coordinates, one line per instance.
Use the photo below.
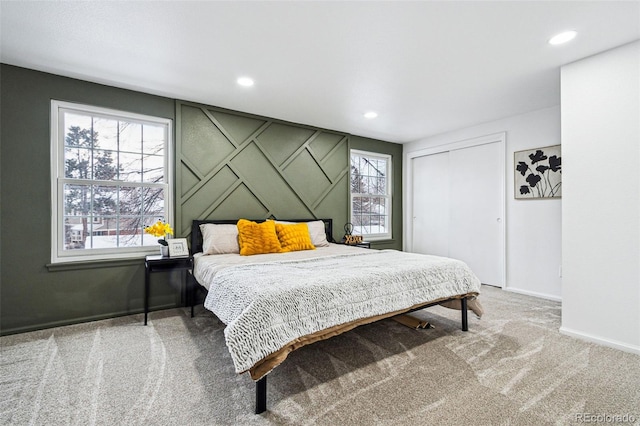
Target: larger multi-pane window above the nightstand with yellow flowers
(110, 179)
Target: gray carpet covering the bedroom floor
(511, 368)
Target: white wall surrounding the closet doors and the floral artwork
(533, 227)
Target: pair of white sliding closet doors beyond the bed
(458, 205)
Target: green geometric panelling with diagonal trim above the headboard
(231, 165)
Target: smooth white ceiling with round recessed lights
(425, 67)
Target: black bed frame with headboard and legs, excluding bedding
(193, 286)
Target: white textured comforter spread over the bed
(267, 305)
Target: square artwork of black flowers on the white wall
(538, 173)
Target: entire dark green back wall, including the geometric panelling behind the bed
(228, 164)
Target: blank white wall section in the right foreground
(601, 204)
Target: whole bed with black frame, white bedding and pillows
(275, 303)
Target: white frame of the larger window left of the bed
(58, 180)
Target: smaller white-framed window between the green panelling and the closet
(371, 195)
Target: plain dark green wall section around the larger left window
(32, 296)
